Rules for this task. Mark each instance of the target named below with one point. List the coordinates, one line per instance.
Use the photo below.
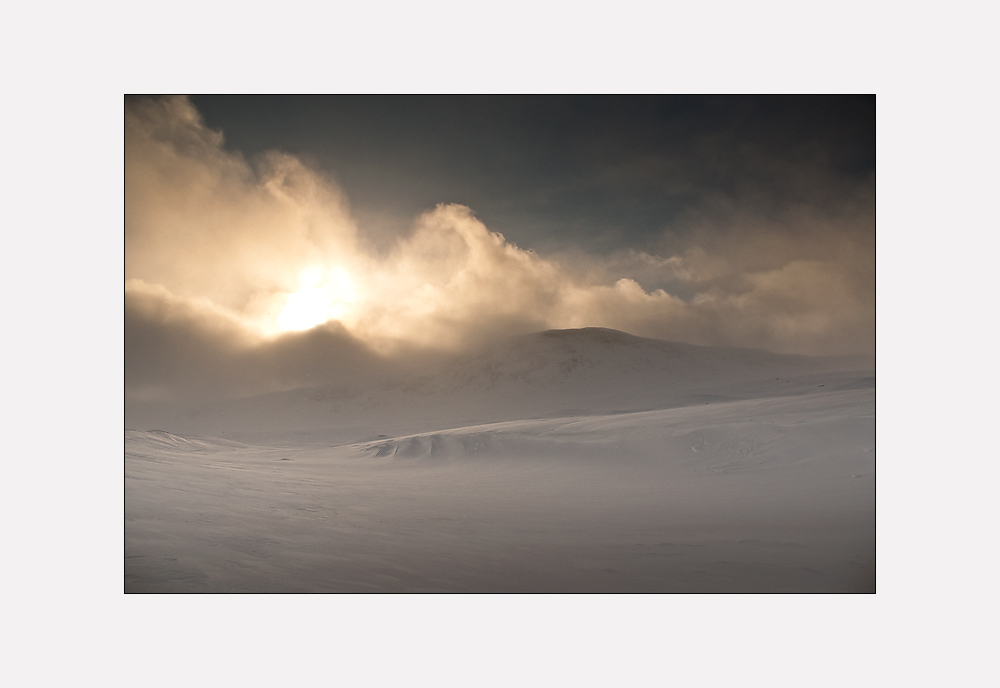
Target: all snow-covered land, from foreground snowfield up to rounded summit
(567, 461)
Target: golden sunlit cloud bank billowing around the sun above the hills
(233, 258)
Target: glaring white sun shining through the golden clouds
(325, 295)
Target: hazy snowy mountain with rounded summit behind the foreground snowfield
(546, 374)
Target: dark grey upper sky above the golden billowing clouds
(602, 172)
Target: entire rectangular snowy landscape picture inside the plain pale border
(463, 344)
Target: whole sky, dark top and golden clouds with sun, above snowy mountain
(269, 237)
